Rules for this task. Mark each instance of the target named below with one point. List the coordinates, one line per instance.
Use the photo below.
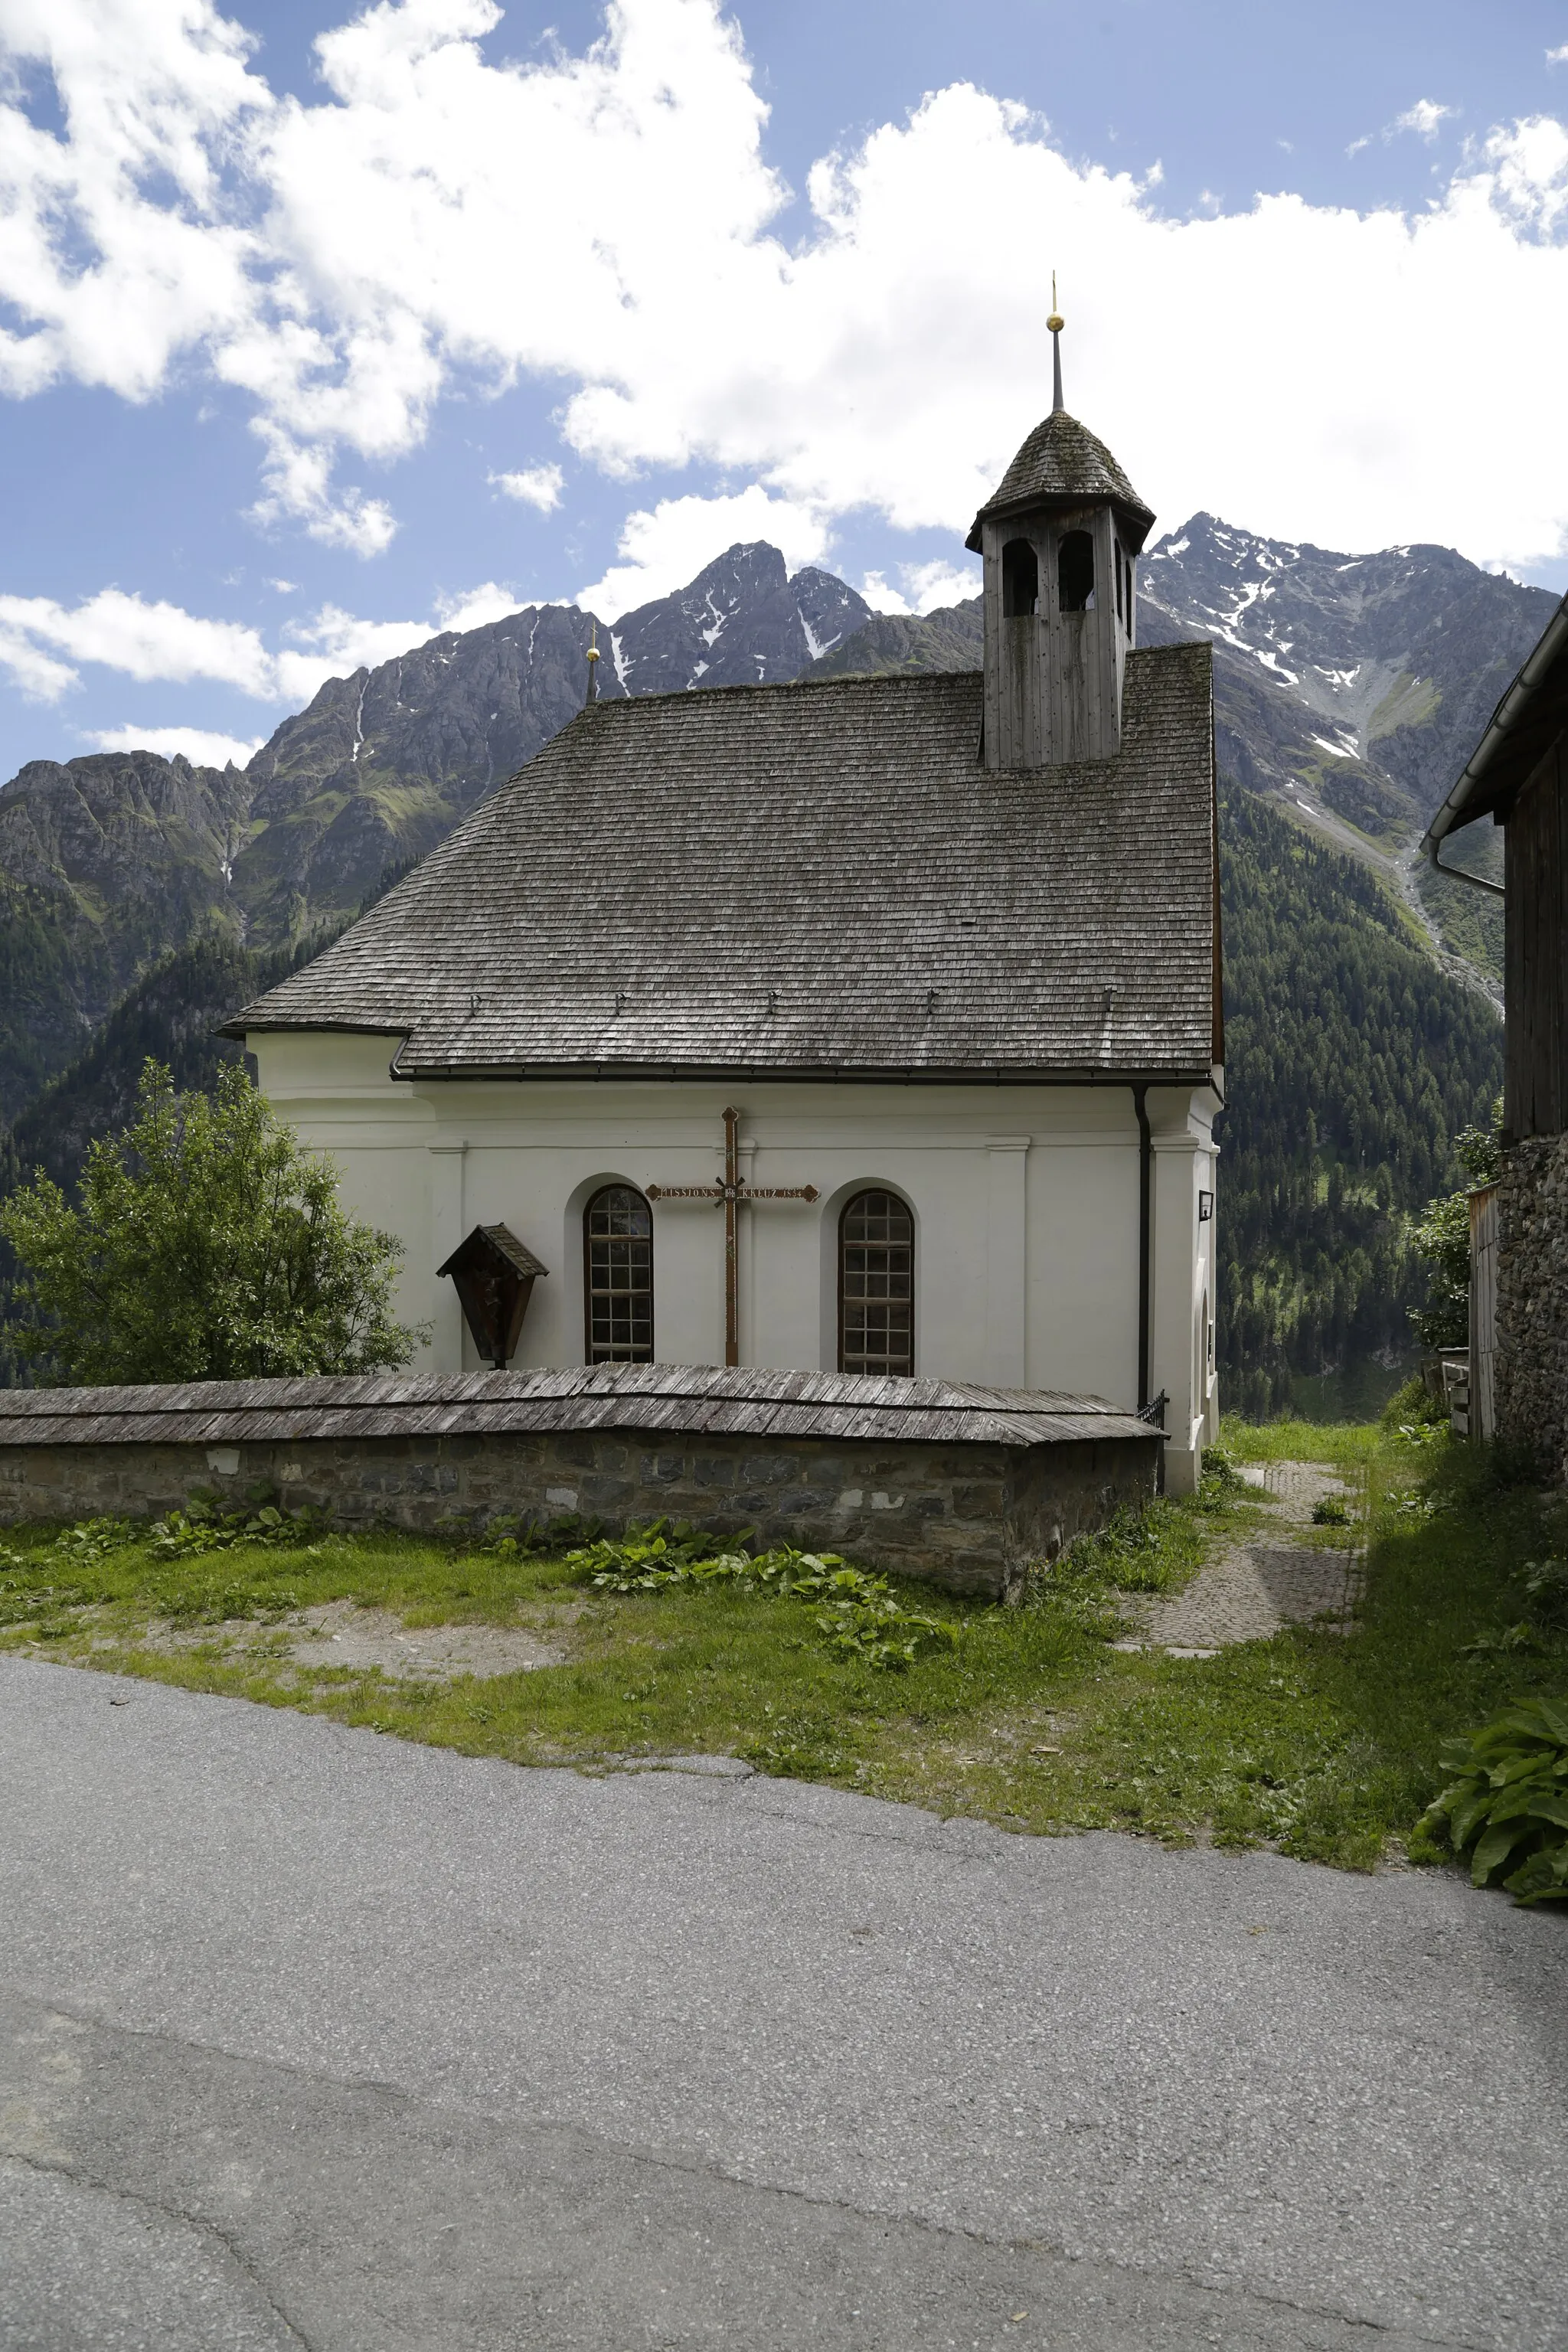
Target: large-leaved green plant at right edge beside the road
(1508, 1803)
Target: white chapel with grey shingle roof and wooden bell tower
(866, 1024)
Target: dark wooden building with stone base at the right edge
(1520, 780)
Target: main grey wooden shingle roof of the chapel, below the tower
(805, 881)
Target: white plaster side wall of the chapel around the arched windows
(1024, 1201)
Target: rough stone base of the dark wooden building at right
(1532, 1361)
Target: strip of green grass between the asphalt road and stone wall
(1318, 1744)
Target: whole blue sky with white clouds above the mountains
(307, 352)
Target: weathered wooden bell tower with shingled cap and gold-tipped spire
(1061, 544)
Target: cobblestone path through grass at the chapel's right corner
(1259, 1584)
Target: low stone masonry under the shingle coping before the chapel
(965, 1516)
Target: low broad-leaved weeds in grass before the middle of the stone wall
(855, 1615)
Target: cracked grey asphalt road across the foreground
(314, 2038)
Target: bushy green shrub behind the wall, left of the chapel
(206, 1245)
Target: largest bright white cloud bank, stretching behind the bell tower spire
(610, 225)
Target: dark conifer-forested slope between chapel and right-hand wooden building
(1351, 1064)
